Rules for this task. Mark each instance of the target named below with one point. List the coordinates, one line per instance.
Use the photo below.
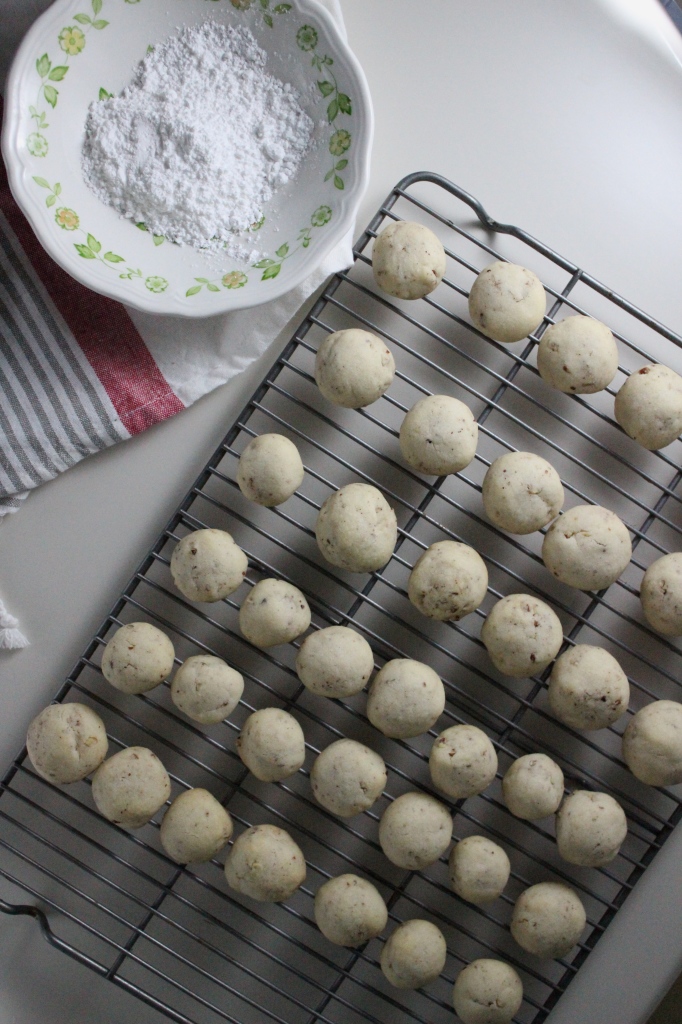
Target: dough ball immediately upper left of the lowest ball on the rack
(415, 955)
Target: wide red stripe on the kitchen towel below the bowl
(103, 328)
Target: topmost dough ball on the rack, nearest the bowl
(408, 261)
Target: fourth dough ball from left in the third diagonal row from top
(523, 635)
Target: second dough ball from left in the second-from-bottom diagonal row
(206, 690)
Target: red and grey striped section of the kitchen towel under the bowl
(75, 374)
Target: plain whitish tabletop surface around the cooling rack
(561, 117)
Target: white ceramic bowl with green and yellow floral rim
(80, 48)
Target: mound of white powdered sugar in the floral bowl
(199, 142)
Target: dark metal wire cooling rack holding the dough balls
(178, 937)
